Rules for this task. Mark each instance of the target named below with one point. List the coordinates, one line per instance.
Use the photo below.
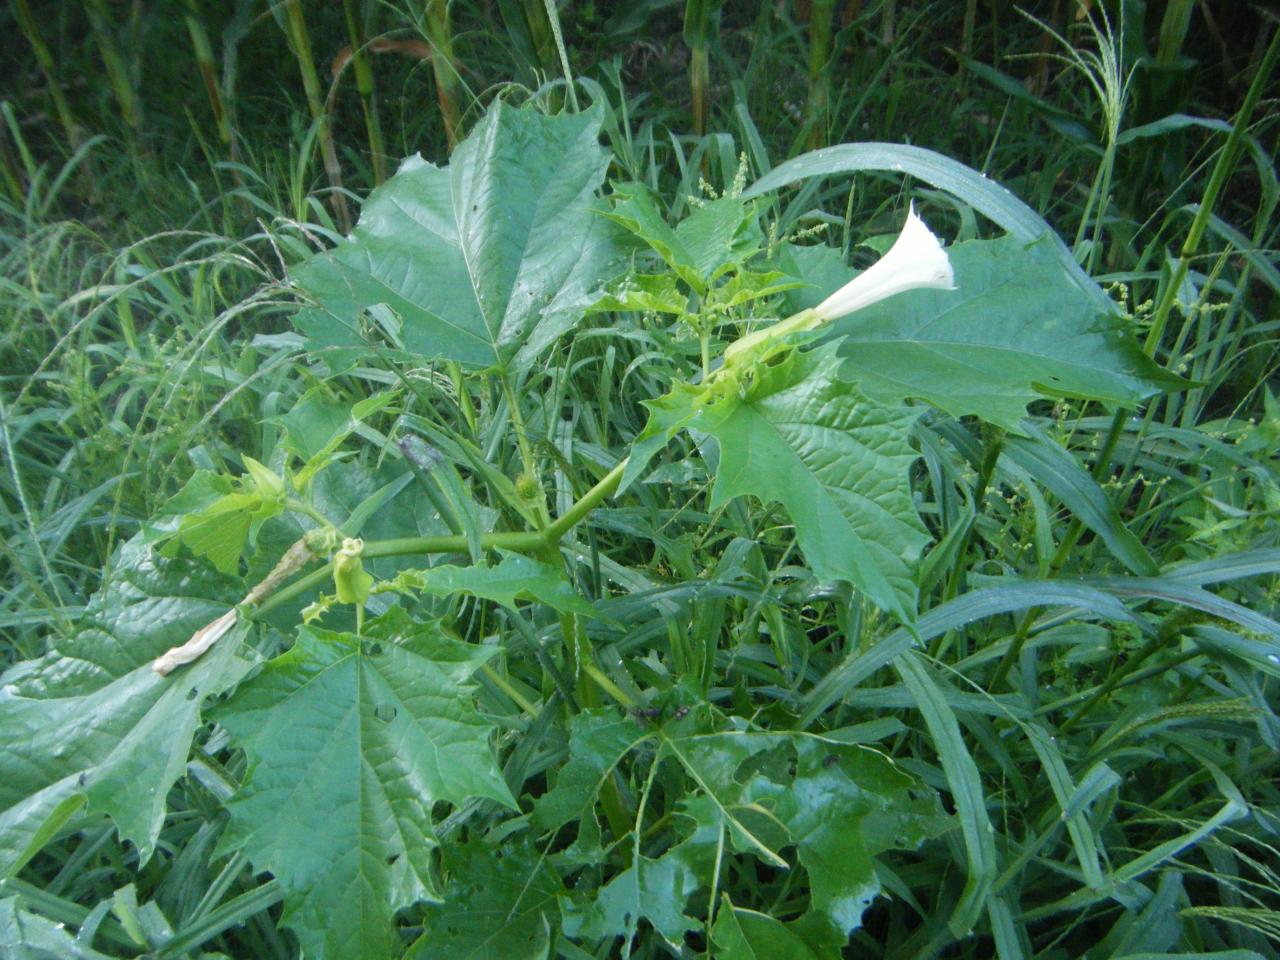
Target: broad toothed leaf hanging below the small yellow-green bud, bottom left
(351, 743)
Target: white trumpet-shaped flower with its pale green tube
(917, 260)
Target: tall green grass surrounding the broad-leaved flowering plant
(145, 335)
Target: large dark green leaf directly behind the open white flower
(1017, 327)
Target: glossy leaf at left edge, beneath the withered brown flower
(92, 723)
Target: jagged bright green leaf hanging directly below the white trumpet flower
(838, 461)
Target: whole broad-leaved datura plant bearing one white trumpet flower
(536, 627)
